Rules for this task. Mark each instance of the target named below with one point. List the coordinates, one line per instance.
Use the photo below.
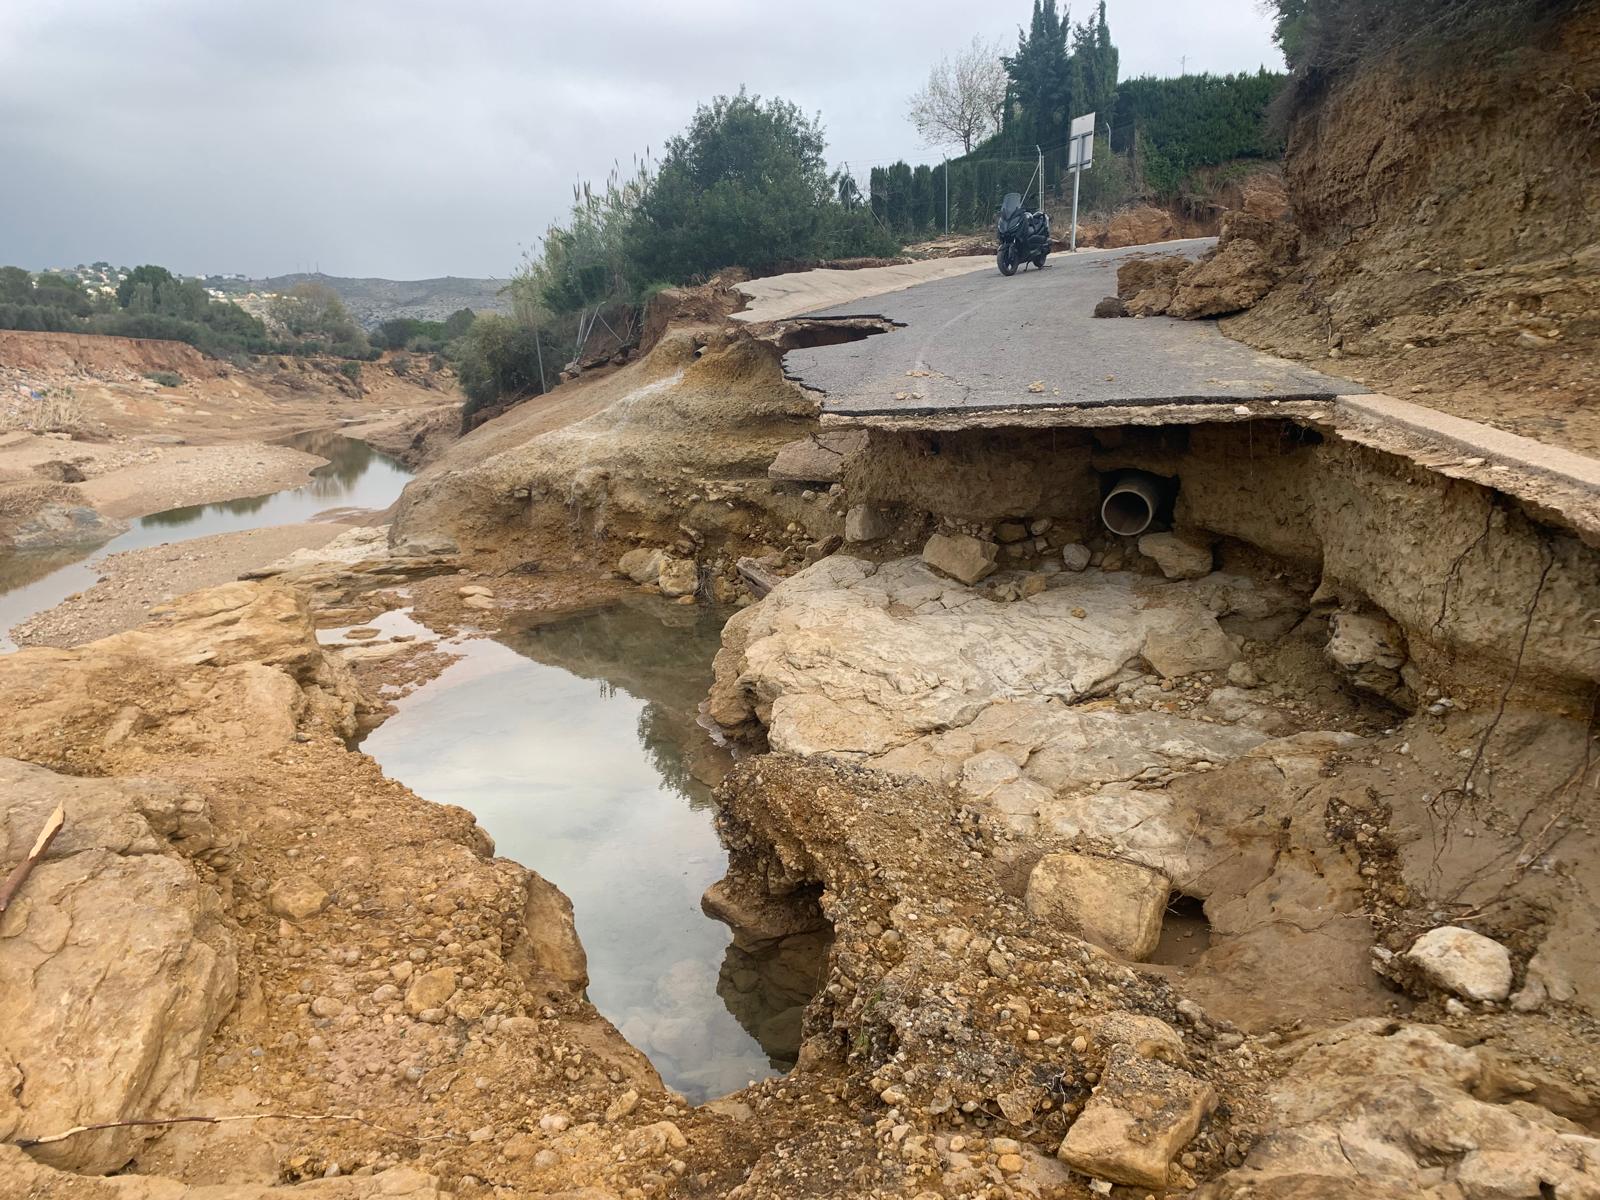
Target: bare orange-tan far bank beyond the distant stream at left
(122, 428)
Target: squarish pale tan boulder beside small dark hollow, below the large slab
(1111, 903)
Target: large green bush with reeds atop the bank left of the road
(746, 185)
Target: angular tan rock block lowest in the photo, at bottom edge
(1138, 1121)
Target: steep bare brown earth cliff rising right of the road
(1447, 210)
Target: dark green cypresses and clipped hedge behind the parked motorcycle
(1151, 135)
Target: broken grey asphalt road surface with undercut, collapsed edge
(983, 342)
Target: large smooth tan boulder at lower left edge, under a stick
(116, 967)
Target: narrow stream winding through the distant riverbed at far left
(354, 478)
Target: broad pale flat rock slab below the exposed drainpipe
(898, 665)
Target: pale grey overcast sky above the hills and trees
(407, 140)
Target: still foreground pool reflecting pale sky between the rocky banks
(575, 743)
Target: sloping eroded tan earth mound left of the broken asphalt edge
(673, 450)
